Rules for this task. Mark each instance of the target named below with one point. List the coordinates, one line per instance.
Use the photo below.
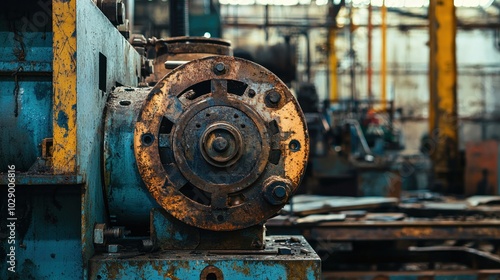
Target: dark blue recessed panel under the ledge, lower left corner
(48, 236)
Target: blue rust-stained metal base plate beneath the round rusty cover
(285, 257)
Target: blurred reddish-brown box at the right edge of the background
(481, 170)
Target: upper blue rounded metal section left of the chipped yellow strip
(25, 95)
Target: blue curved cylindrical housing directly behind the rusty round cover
(129, 202)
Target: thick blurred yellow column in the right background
(443, 92)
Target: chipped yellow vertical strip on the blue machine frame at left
(64, 83)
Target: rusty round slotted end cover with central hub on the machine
(221, 143)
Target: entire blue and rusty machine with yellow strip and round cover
(114, 173)
